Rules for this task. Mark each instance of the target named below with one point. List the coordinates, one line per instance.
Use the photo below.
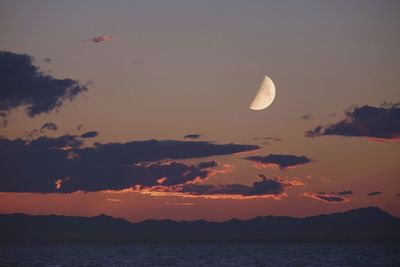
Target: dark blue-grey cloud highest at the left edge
(24, 85)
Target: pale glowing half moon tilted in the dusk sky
(265, 95)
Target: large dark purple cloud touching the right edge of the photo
(377, 123)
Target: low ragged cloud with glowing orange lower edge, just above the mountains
(266, 188)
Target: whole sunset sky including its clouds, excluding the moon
(140, 109)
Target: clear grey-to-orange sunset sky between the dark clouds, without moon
(192, 67)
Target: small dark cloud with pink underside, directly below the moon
(281, 161)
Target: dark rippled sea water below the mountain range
(202, 255)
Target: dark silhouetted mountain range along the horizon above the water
(359, 225)
